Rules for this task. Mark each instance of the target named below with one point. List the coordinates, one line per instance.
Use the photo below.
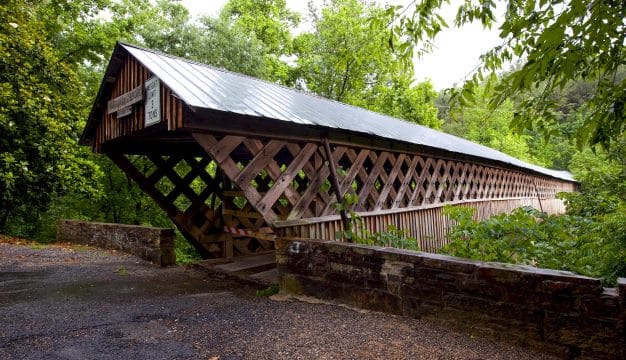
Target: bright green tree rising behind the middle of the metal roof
(346, 58)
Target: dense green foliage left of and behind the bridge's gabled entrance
(54, 53)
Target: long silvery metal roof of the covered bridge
(202, 86)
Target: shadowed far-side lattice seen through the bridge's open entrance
(194, 194)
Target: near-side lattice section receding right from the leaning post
(384, 180)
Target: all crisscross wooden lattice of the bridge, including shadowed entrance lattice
(255, 184)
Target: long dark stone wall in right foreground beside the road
(558, 311)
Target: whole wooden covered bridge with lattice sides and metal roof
(236, 161)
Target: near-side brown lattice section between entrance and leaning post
(279, 179)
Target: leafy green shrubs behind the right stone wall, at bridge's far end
(589, 239)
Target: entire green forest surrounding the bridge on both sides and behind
(560, 105)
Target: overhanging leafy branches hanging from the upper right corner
(558, 41)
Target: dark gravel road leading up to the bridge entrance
(63, 302)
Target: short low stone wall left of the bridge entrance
(149, 243)
